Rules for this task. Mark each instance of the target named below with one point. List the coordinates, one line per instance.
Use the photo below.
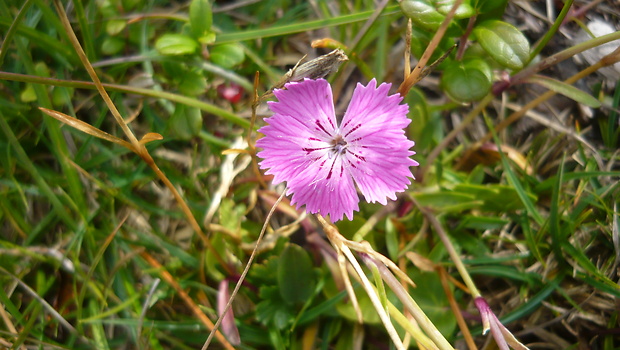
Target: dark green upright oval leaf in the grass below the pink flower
(295, 275)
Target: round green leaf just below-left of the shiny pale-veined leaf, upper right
(467, 81)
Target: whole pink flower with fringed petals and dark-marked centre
(322, 160)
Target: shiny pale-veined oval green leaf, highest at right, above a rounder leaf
(505, 43)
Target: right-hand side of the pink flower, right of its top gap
(379, 149)
